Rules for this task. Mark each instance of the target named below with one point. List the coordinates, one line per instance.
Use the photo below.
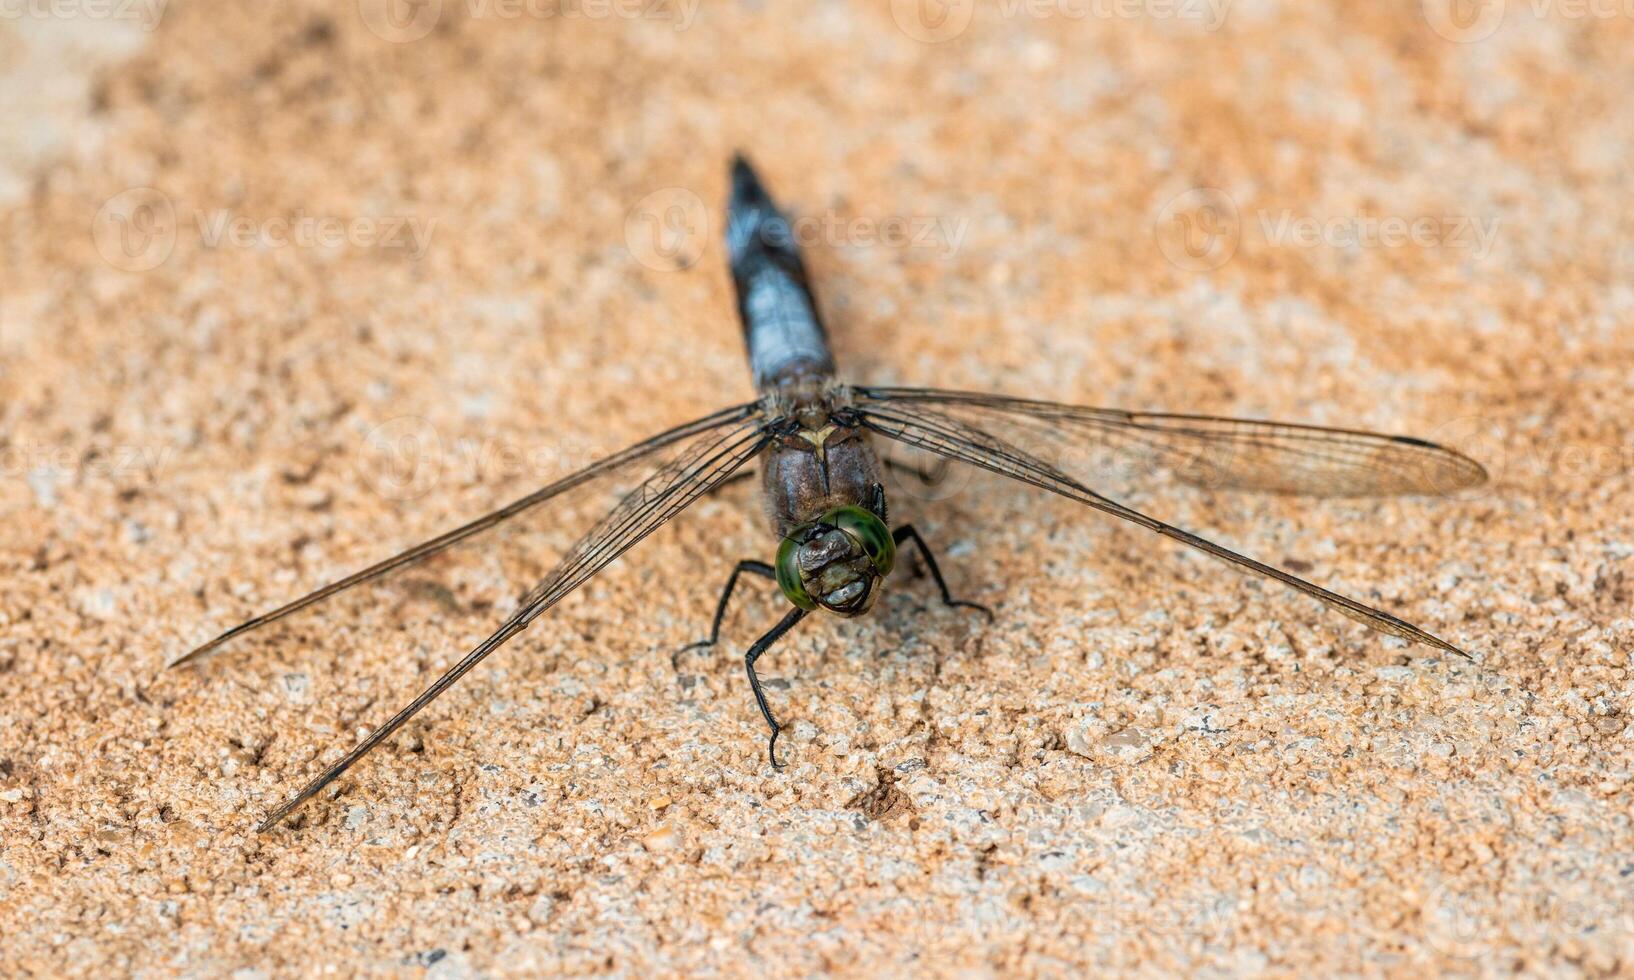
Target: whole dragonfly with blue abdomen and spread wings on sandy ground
(823, 481)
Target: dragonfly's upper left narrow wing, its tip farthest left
(620, 465)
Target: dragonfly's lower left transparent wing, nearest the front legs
(707, 463)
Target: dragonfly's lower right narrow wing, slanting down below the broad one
(916, 424)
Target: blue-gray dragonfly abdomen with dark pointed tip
(785, 336)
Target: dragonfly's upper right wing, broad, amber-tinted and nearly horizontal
(1202, 450)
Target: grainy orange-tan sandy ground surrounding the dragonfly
(287, 287)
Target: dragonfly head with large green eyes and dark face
(837, 561)
